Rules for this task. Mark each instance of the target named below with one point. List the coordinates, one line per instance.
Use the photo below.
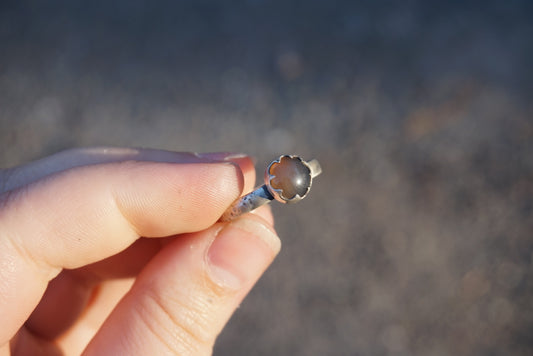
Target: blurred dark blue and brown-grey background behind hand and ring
(416, 239)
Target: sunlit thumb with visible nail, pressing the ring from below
(186, 294)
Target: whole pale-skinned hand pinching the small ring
(108, 251)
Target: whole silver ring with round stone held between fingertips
(288, 179)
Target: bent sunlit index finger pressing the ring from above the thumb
(85, 214)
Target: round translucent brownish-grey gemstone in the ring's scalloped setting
(291, 177)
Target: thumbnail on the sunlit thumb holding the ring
(241, 252)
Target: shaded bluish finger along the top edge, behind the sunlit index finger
(19, 176)
